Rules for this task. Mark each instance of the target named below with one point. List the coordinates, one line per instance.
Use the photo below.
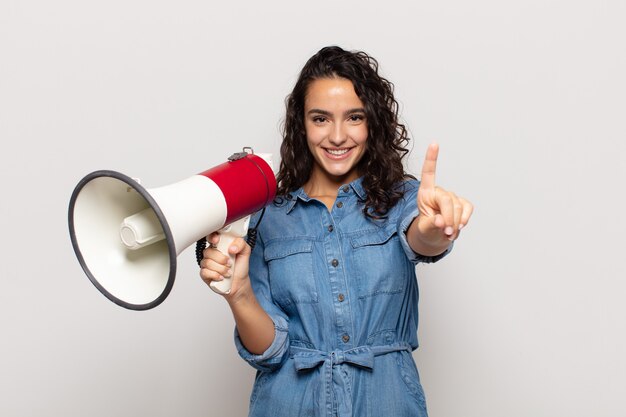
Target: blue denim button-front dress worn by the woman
(342, 292)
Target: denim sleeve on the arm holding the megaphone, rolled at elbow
(274, 355)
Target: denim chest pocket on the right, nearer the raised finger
(379, 262)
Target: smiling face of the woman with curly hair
(336, 128)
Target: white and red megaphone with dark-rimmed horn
(127, 237)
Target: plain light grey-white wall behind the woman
(526, 98)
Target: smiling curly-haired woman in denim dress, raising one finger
(326, 303)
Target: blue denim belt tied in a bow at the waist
(335, 382)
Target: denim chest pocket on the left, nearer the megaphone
(290, 264)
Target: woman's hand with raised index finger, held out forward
(442, 213)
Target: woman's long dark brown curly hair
(381, 166)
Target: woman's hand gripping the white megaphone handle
(215, 266)
